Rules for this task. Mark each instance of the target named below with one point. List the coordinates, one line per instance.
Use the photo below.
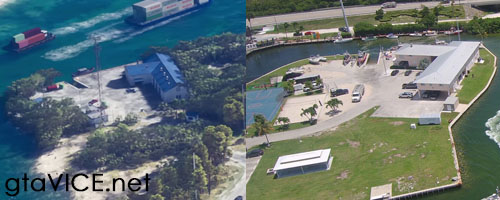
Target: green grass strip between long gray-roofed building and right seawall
(482, 73)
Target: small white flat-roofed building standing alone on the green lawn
(302, 163)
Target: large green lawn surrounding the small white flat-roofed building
(367, 152)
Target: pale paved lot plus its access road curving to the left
(381, 90)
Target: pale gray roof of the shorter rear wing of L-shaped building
(423, 50)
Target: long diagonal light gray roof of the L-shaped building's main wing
(447, 66)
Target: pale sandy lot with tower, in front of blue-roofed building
(114, 94)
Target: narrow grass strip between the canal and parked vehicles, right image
(282, 70)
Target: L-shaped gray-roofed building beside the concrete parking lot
(448, 64)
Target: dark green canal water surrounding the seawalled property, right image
(476, 134)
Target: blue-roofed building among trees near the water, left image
(160, 71)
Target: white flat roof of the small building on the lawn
(302, 159)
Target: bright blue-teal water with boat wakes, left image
(74, 22)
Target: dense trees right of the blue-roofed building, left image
(214, 68)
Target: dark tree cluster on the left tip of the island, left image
(47, 119)
